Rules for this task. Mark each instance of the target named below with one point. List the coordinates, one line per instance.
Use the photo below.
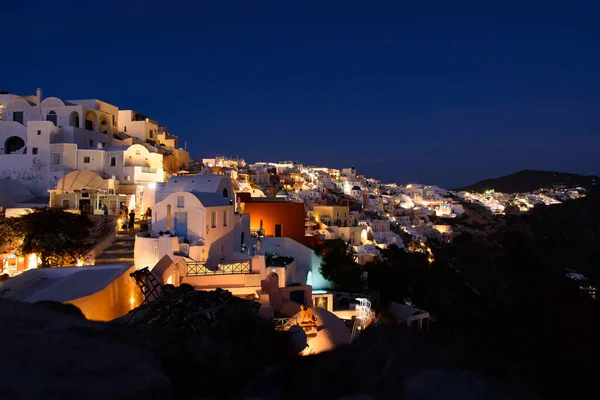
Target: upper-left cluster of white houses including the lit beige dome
(45, 144)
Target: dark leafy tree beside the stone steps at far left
(56, 236)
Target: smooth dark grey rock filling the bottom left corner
(52, 355)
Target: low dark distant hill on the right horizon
(530, 180)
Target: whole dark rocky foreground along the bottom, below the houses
(51, 351)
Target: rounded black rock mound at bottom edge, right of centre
(387, 363)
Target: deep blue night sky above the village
(440, 92)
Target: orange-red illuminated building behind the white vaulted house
(276, 217)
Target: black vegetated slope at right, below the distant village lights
(500, 292)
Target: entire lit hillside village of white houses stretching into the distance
(211, 223)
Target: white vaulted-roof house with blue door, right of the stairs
(197, 211)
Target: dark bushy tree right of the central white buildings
(338, 266)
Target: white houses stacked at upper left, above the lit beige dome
(43, 139)
